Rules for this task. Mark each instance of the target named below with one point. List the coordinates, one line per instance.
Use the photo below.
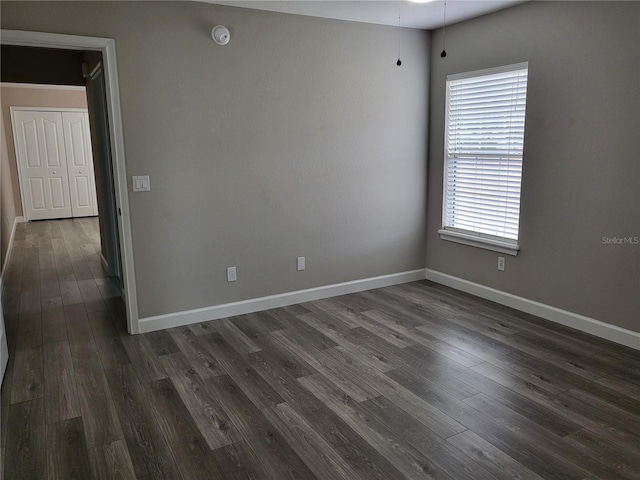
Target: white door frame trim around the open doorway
(107, 47)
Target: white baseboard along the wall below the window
(592, 326)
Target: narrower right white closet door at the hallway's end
(82, 185)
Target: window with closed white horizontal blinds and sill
(484, 139)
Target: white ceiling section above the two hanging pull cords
(426, 16)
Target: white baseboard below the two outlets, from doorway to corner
(149, 324)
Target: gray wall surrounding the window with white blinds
(581, 178)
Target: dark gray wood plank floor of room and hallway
(408, 382)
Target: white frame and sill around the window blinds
(469, 237)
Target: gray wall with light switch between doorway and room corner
(300, 137)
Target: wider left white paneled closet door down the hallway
(40, 149)
